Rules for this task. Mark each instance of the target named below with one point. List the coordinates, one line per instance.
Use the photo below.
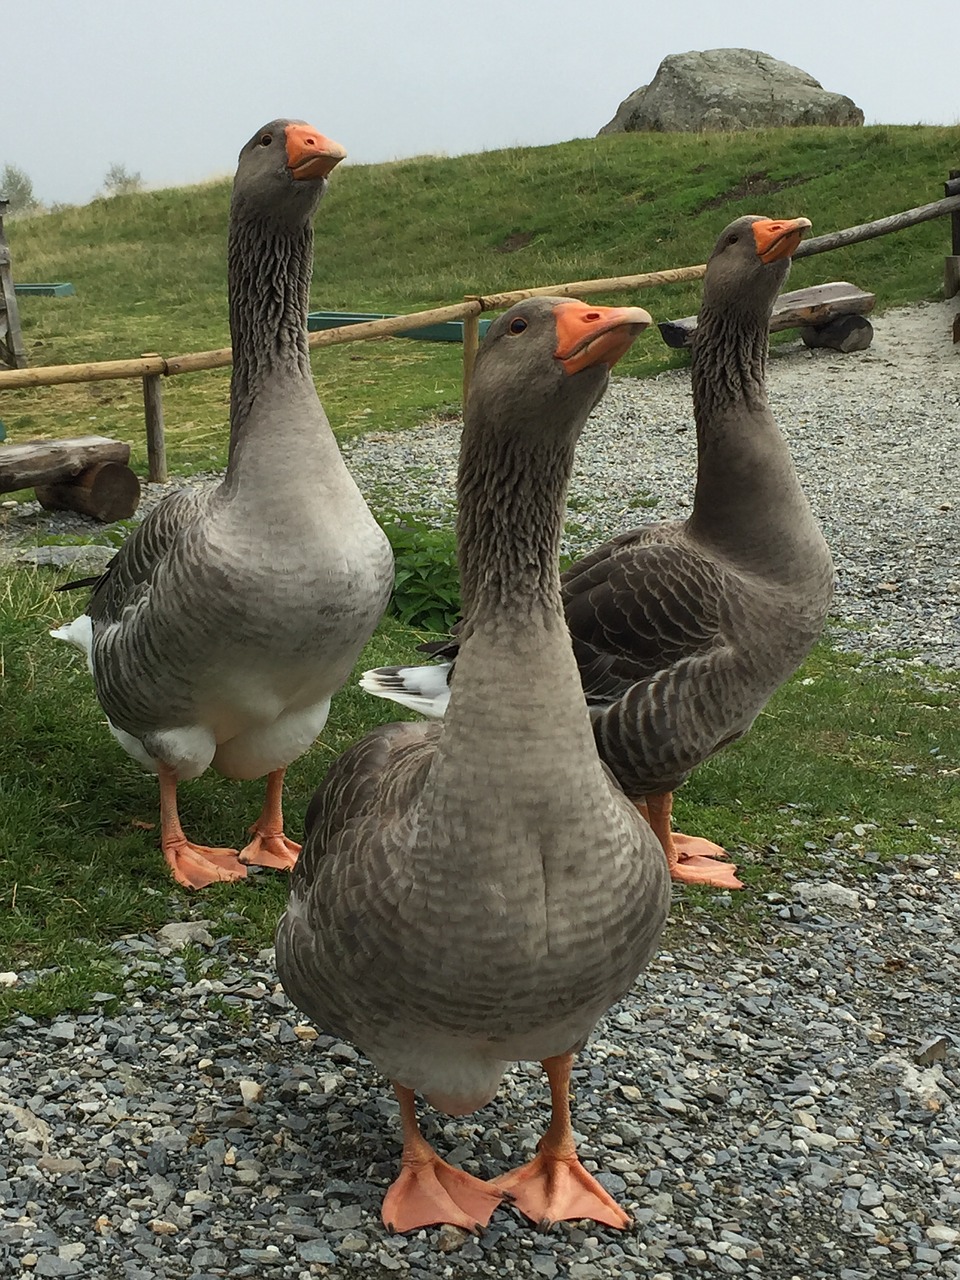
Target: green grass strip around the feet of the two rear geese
(842, 744)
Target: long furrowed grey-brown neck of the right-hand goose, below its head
(748, 501)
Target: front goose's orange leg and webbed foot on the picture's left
(428, 1190)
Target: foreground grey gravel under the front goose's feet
(784, 1110)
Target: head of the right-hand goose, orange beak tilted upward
(751, 262)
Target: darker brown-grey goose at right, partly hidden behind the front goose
(684, 630)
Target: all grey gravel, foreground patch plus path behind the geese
(781, 1109)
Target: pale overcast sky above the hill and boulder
(173, 90)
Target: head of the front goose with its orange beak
(546, 363)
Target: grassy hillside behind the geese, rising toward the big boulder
(150, 268)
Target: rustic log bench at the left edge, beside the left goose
(89, 474)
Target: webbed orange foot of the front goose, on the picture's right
(555, 1190)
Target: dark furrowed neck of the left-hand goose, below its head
(269, 287)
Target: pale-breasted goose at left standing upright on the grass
(227, 621)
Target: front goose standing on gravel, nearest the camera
(478, 892)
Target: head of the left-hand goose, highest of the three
(282, 173)
